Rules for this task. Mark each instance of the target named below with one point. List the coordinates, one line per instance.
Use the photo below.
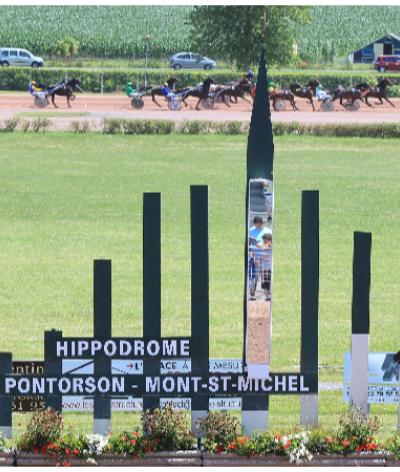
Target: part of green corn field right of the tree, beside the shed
(336, 31)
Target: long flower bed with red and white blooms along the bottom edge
(167, 441)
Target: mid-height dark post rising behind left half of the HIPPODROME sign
(102, 330)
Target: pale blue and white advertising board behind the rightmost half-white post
(383, 378)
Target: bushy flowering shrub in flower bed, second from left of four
(167, 429)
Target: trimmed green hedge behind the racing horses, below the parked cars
(13, 78)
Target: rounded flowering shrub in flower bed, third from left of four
(220, 430)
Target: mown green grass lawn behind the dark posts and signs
(66, 200)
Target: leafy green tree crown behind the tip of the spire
(237, 32)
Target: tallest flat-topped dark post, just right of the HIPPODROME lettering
(199, 294)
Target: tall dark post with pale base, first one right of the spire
(309, 301)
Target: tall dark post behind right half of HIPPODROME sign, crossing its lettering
(151, 284)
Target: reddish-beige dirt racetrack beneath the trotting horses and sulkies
(97, 107)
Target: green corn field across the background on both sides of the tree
(121, 31)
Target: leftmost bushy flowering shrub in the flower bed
(44, 427)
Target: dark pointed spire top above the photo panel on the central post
(260, 146)
